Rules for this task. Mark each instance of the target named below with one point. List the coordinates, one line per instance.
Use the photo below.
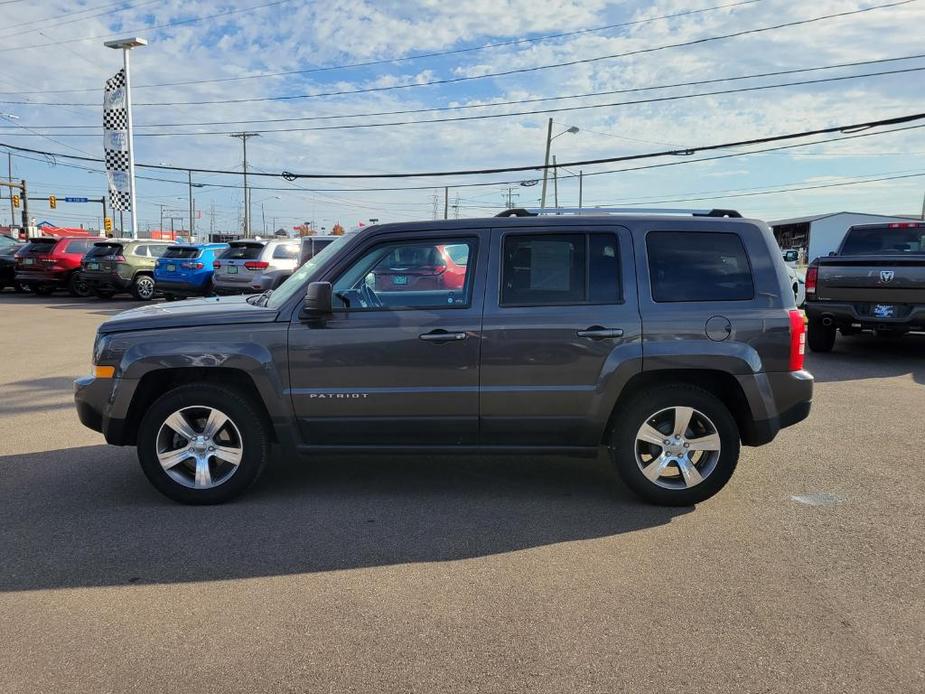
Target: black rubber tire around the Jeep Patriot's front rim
(254, 441)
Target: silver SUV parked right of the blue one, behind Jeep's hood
(252, 265)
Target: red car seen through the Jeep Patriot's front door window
(419, 268)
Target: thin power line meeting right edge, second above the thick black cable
(440, 109)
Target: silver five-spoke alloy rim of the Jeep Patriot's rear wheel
(677, 448)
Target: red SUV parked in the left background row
(46, 264)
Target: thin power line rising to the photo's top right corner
(503, 73)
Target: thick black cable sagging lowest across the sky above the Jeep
(289, 176)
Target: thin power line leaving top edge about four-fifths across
(434, 54)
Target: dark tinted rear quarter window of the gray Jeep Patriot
(689, 266)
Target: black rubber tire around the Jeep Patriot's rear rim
(641, 409)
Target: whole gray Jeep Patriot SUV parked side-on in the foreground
(668, 338)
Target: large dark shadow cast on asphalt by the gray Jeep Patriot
(87, 516)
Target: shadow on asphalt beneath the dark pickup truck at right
(867, 356)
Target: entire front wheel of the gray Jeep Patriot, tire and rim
(202, 444)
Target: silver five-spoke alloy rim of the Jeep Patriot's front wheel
(199, 447)
